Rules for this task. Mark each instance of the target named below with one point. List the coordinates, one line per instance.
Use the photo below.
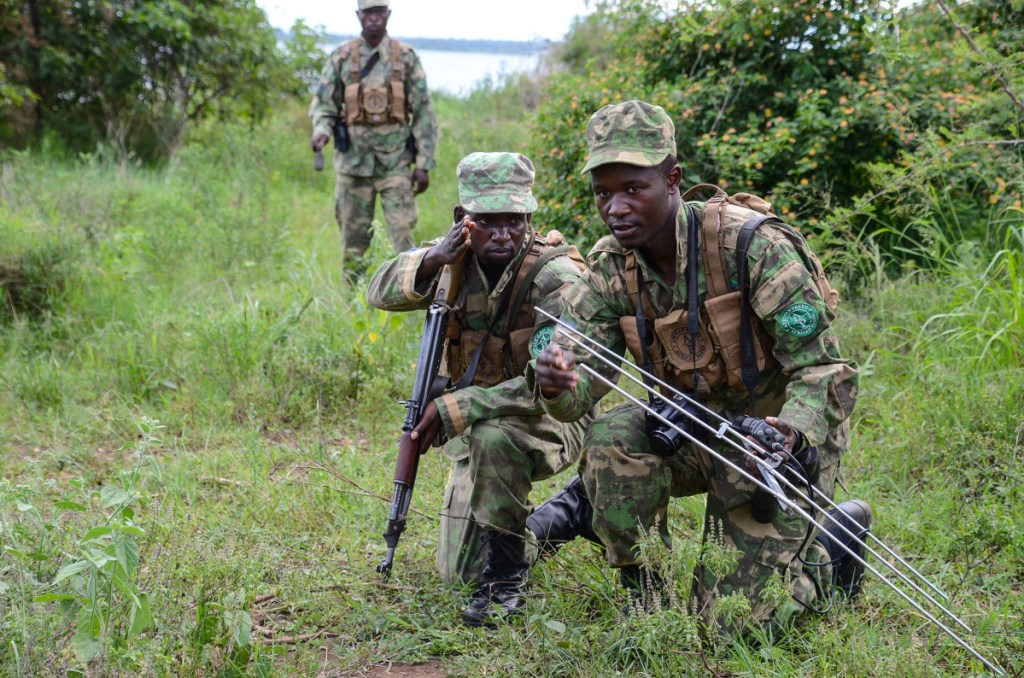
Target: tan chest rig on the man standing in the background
(376, 106)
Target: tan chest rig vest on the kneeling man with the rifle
(487, 358)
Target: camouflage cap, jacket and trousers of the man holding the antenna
(813, 388)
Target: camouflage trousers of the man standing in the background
(354, 209)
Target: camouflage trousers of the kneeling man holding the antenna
(630, 489)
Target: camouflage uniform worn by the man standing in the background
(378, 161)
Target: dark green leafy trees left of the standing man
(137, 73)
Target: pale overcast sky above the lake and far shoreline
(485, 20)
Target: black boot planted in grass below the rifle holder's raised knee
(503, 590)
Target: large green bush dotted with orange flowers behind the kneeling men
(817, 105)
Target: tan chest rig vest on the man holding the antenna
(730, 346)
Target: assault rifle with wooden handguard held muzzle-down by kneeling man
(428, 386)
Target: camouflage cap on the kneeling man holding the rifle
(492, 183)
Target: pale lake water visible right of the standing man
(458, 73)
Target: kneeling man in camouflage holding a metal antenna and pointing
(636, 294)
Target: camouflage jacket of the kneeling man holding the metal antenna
(813, 387)
